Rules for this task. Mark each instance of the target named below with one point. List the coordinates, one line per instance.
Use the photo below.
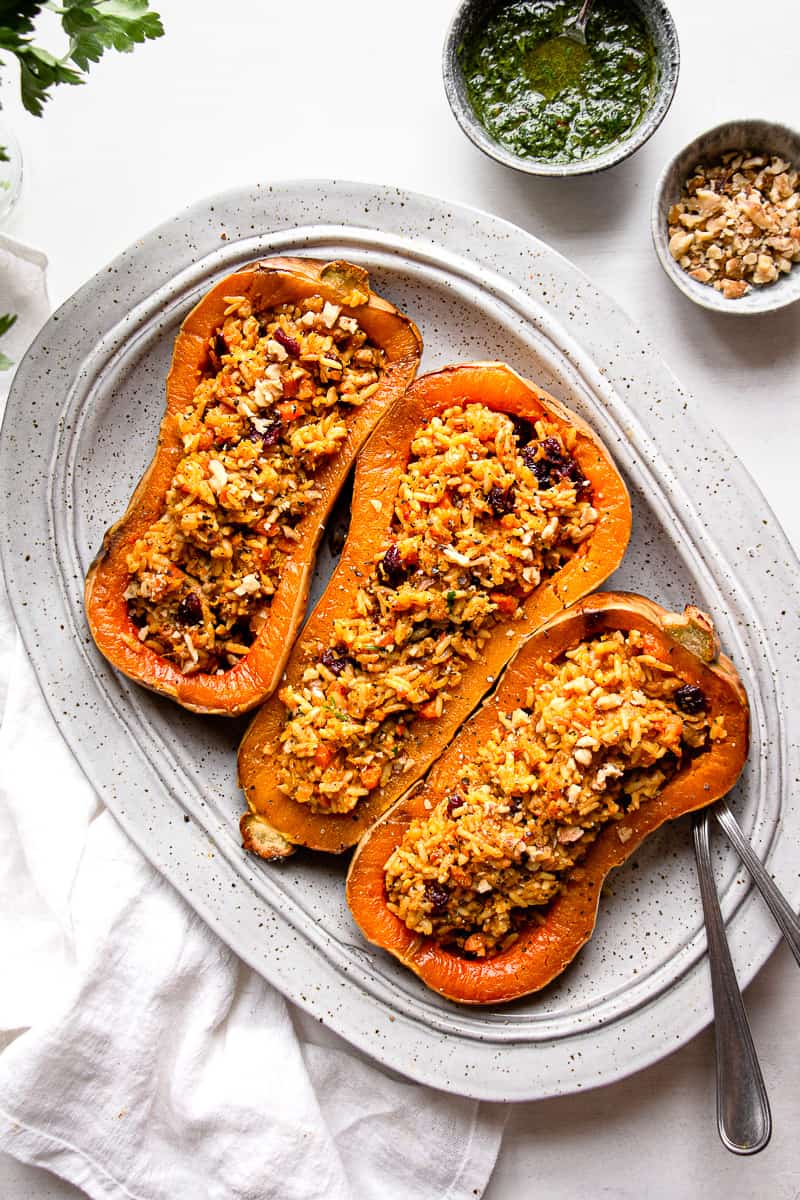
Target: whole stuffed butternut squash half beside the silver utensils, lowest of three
(615, 718)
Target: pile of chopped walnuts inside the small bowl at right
(736, 224)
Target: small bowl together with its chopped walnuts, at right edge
(726, 218)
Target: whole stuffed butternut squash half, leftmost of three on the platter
(279, 376)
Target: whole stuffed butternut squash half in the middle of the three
(482, 508)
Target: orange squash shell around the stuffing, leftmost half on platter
(268, 284)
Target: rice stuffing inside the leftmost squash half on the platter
(269, 412)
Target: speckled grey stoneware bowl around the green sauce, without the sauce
(661, 28)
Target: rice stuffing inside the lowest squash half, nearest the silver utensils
(599, 737)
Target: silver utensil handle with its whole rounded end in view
(744, 1117)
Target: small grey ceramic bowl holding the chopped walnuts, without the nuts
(756, 136)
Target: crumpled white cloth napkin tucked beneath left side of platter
(155, 1065)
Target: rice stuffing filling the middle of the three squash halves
(489, 506)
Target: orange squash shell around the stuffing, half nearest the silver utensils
(544, 951)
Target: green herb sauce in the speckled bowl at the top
(546, 97)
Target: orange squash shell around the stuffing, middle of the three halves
(274, 817)
